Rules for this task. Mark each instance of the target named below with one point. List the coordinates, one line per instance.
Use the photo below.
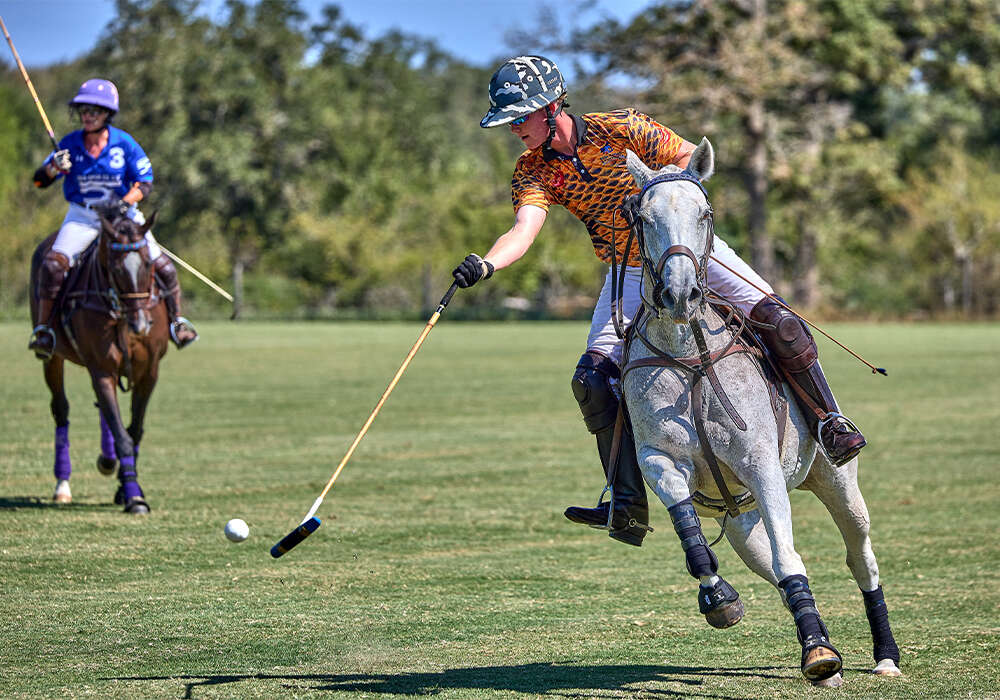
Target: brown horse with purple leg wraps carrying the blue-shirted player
(110, 319)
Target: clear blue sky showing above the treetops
(47, 31)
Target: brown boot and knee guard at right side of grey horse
(793, 348)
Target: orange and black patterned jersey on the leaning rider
(593, 183)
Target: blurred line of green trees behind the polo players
(320, 172)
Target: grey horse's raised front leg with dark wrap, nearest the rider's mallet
(671, 479)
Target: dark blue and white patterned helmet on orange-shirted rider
(520, 86)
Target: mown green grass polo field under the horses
(444, 565)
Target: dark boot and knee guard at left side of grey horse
(629, 519)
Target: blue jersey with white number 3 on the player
(121, 164)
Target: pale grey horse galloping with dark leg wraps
(677, 406)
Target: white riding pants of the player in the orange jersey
(603, 338)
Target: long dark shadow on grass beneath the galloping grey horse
(559, 680)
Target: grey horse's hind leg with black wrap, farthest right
(838, 490)
